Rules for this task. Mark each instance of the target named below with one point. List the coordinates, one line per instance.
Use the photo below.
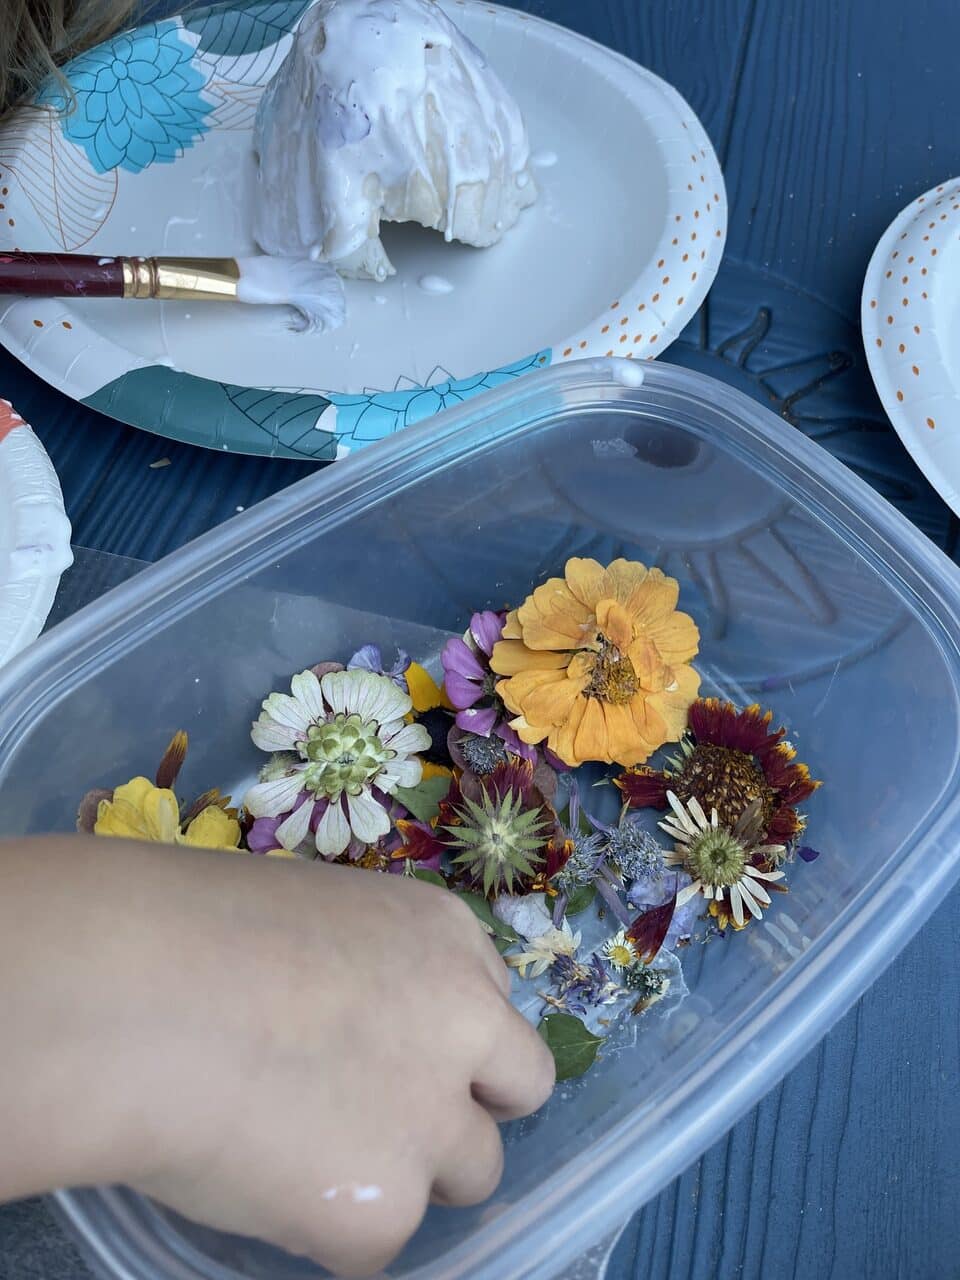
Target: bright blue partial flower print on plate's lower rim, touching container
(374, 415)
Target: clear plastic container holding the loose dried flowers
(813, 597)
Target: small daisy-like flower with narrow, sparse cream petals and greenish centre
(723, 861)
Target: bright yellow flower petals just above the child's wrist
(141, 811)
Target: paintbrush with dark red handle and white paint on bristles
(313, 290)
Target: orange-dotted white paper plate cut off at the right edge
(911, 317)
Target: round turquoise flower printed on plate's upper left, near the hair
(138, 99)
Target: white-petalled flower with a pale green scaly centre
(353, 751)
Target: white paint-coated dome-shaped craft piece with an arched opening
(386, 111)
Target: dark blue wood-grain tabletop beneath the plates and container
(829, 117)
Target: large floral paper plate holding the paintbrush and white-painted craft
(615, 258)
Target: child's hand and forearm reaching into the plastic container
(296, 1052)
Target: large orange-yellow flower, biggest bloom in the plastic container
(597, 664)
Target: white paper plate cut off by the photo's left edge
(35, 534)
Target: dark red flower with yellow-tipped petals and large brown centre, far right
(728, 761)
